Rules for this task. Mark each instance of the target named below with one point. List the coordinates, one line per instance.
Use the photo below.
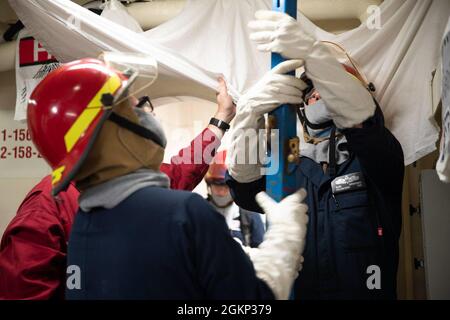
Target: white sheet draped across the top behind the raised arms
(398, 48)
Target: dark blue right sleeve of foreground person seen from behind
(224, 270)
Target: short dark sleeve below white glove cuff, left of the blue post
(244, 193)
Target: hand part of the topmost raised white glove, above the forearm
(278, 32)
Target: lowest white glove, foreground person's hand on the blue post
(278, 259)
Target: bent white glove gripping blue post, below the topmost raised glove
(273, 90)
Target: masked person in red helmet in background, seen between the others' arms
(245, 226)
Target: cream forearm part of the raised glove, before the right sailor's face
(345, 97)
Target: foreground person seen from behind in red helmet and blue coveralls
(133, 237)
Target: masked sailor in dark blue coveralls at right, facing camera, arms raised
(351, 166)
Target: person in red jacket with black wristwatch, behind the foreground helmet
(34, 245)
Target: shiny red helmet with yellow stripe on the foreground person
(67, 110)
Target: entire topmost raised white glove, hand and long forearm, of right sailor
(348, 102)
